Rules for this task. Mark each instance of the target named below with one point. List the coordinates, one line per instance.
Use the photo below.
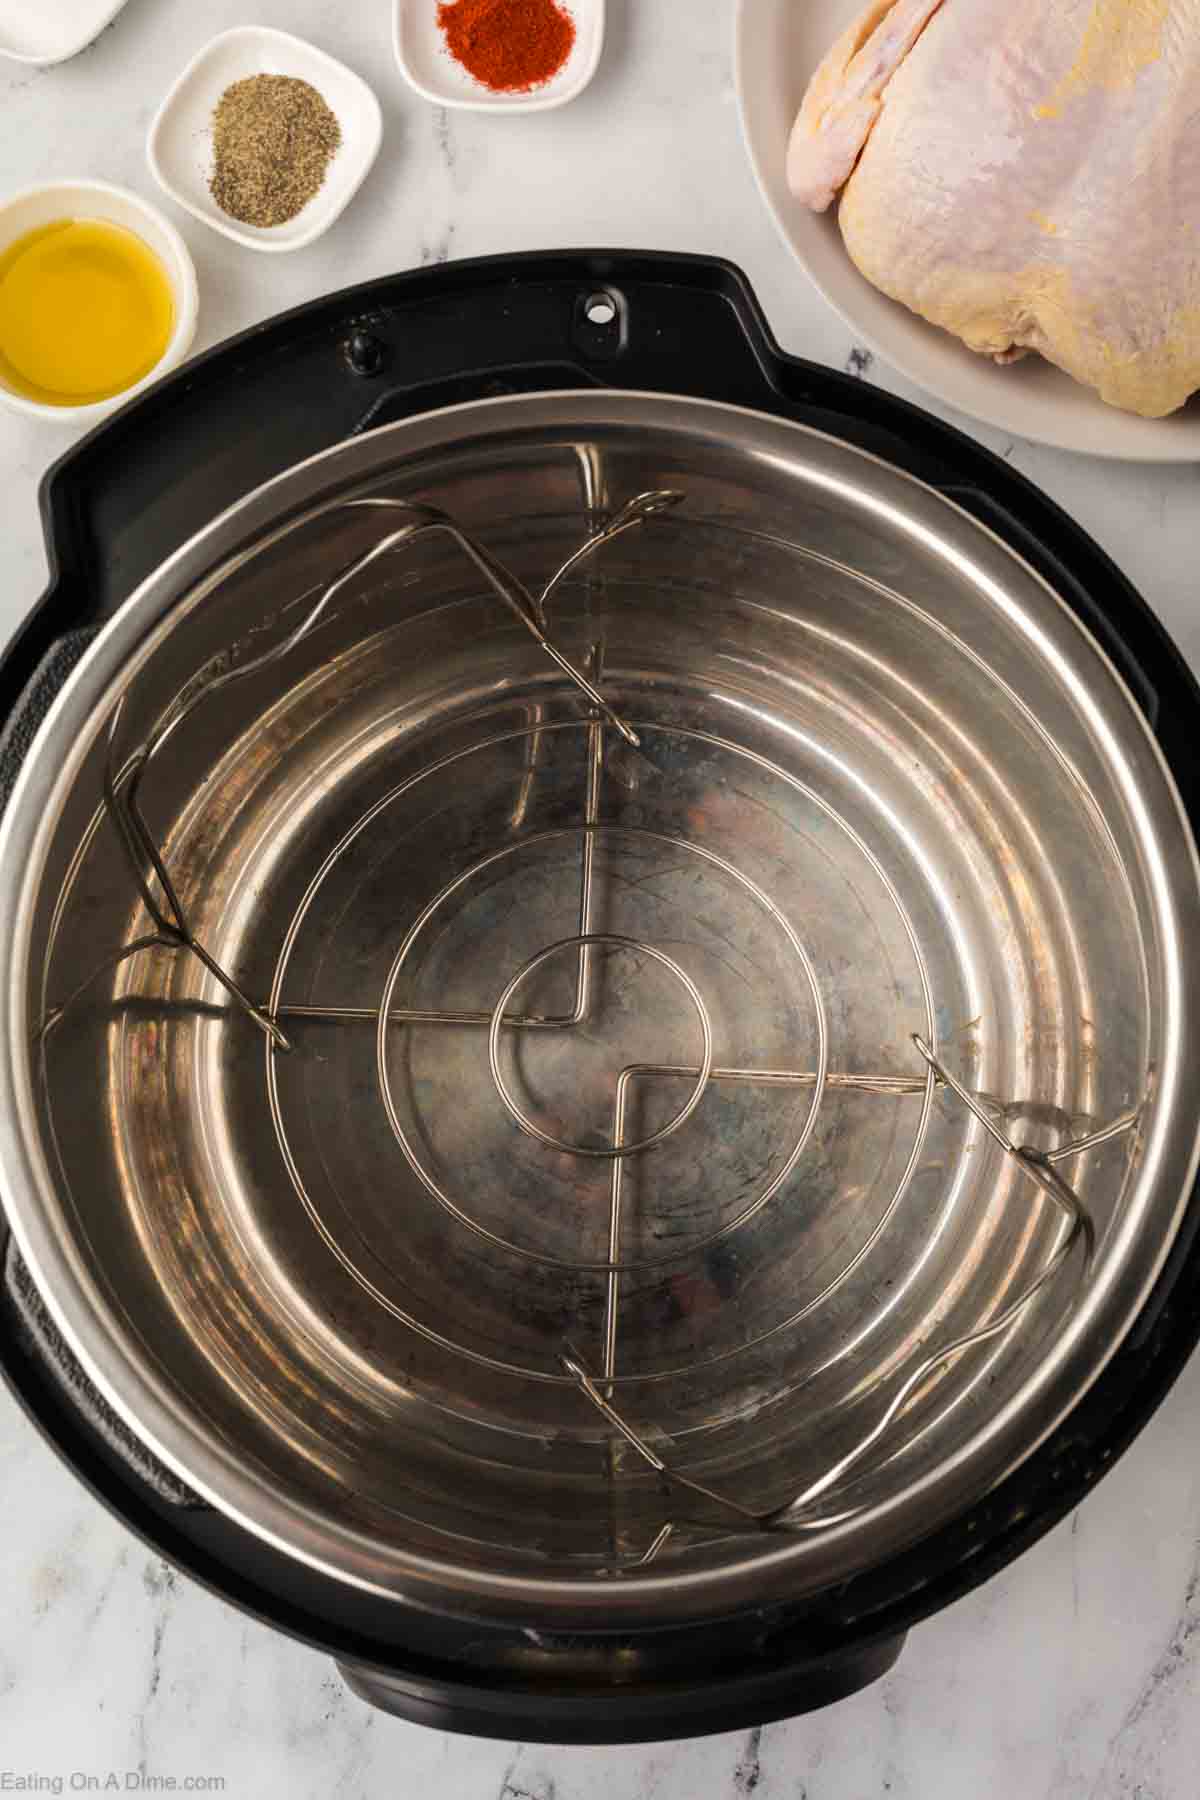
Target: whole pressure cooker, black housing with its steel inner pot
(598, 1088)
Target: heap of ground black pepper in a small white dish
(273, 141)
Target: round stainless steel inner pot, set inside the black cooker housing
(886, 787)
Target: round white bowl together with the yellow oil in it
(98, 300)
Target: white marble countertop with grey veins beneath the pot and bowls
(1079, 1671)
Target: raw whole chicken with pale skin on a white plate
(1025, 174)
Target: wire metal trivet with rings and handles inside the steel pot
(598, 1383)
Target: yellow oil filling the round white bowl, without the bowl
(85, 312)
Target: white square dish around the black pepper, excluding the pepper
(181, 138)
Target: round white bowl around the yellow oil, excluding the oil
(100, 201)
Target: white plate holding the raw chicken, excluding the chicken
(778, 46)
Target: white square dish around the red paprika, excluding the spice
(429, 67)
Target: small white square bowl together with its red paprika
(499, 55)
